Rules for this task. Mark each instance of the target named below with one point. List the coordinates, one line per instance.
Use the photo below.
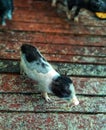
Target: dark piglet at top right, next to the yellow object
(91, 5)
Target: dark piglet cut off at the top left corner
(6, 10)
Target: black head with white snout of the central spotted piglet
(63, 88)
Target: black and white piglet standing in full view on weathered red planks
(35, 66)
